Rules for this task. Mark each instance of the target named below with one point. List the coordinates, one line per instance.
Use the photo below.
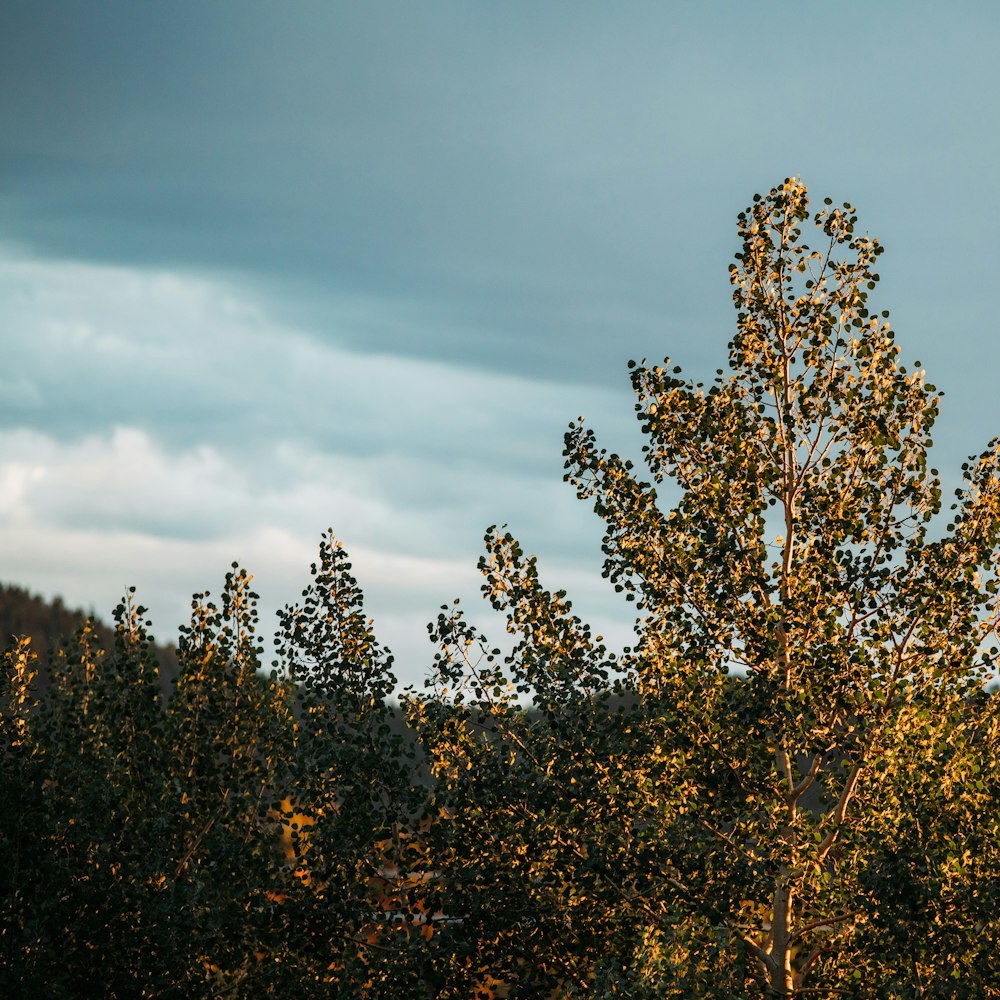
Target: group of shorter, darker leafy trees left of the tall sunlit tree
(236, 838)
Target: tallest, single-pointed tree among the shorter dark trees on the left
(356, 805)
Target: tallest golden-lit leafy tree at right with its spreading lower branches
(801, 799)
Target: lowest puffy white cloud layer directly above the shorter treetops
(171, 524)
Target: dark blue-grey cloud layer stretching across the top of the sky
(513, 191)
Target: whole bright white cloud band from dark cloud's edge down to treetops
(169, 428)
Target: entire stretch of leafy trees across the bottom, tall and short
(785, 787)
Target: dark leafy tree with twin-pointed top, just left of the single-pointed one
(229, 734)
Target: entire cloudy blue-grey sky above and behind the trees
(268, 269)
